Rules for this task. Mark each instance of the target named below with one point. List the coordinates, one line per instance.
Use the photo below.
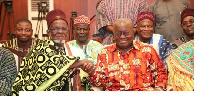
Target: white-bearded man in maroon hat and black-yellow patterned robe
(46, 67)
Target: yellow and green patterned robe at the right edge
(181, 67)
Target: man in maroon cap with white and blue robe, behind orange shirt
(145, 34)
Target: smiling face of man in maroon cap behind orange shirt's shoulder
(145, 29)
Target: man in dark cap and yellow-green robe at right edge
(181, 61)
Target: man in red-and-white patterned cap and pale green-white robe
(90, 48)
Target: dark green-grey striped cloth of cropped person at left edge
(8, 72)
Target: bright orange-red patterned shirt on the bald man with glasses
(139, 69)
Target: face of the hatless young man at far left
(24, 31)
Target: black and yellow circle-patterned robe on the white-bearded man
(44, 68)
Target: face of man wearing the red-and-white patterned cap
(82, 32)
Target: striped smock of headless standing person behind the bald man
(108, 11)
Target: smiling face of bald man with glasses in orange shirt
(123, 34)
